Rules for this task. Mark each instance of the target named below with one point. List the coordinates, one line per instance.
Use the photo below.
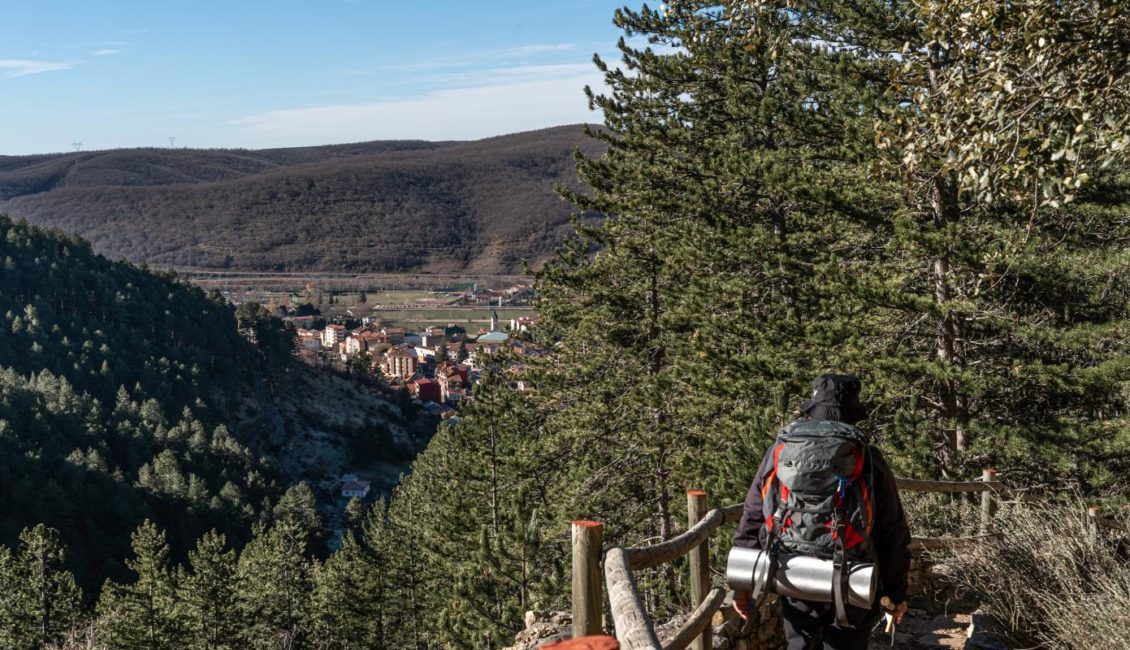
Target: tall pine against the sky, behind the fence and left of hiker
(707, 306)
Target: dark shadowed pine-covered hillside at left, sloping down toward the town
(128, 396)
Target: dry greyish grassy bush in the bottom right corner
(1053, 578)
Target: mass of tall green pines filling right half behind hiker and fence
(757, 233)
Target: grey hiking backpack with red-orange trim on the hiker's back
(818, 500)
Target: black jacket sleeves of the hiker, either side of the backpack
(890, 532)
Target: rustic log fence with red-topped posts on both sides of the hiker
(634, 628)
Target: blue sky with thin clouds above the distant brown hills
(258, 74)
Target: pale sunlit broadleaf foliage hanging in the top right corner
(1023, 103)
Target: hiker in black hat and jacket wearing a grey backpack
(809, 625)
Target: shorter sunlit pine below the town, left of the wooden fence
(467, 505)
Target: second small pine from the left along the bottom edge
(142, 616)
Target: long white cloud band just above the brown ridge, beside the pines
(460, 114)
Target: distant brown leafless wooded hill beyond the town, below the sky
(386, 206)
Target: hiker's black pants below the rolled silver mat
(813, 626)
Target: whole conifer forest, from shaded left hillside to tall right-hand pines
(931, 195)
